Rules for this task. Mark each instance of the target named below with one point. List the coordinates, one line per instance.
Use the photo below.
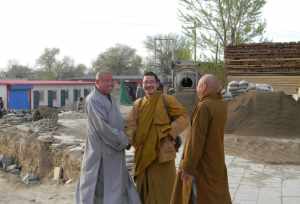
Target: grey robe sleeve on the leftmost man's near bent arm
(112, 137)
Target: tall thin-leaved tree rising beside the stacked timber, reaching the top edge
(222, 22)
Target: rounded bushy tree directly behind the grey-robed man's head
(120, 59)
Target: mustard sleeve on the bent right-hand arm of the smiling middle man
(179, 114)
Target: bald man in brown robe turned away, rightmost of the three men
(203, 162)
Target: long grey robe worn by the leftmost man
(104, 177)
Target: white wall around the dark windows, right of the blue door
(58, 88)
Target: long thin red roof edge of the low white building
(43, 82)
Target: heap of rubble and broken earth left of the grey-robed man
(55, 141)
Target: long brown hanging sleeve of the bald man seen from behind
(197, 141)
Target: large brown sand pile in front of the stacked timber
(264, 114)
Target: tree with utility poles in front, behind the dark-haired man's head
(161, 51)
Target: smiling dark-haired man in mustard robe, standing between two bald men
(152, 126)
